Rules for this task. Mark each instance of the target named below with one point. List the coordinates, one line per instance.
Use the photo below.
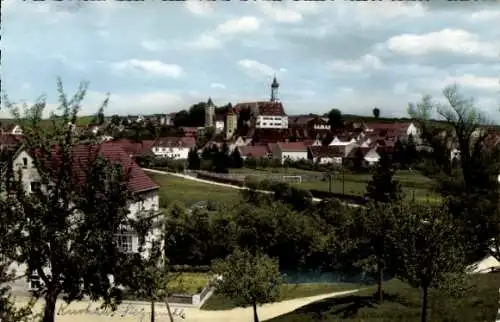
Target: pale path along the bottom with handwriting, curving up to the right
(84, 311)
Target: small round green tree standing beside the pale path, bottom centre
(251, 279)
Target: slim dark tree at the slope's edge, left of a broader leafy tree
(375, 224)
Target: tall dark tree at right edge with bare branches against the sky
(472, 192)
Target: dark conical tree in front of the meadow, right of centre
(383, 188)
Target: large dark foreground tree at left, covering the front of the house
(67, 226)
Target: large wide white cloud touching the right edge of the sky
(456, 41)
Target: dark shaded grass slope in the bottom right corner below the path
(403, 304)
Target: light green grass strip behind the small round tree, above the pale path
(287, 292)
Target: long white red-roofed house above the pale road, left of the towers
(173, 147)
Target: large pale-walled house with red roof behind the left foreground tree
(144, 190)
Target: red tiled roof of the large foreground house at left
(82, 155)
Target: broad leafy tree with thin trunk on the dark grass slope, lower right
(429, 250)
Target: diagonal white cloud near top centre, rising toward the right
(225, 32)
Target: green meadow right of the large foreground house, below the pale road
(189, 192)
